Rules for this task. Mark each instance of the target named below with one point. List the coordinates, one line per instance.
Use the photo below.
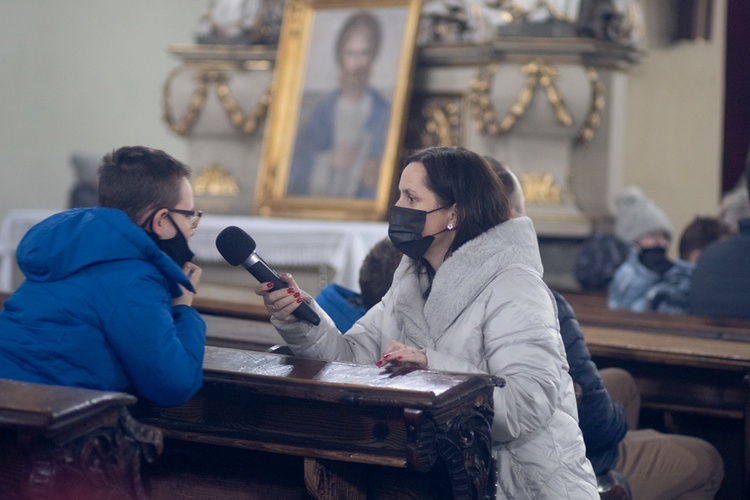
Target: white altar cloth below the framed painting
(339, 245)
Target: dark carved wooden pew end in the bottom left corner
(64, 443)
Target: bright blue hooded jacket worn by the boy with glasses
(95, 311)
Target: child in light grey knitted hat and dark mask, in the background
(648, 280)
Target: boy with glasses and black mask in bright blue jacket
(106, 303)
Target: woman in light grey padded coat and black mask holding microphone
(468, 296)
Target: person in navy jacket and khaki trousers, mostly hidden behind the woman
(656, 466)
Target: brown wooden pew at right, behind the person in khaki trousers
(688, 368)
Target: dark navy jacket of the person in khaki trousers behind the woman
(602, 421)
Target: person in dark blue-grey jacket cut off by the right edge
(721, 282)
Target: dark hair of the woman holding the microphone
(460, 176)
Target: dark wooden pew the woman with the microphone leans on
(341, 430)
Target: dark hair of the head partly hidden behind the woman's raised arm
(376, 273)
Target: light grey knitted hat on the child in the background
(637, 216)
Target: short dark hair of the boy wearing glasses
(138, 180)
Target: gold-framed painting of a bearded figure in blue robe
(337, 116)
